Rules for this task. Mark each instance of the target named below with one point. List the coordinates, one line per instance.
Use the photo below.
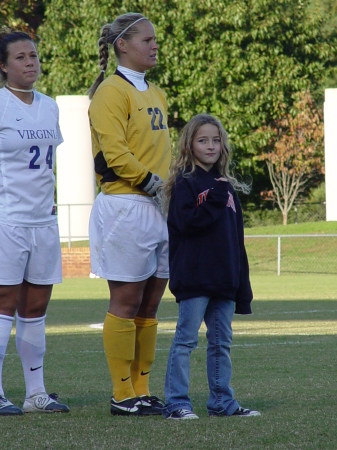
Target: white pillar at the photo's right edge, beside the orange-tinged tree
(330, 144)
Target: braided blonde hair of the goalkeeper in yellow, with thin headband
(123, 27)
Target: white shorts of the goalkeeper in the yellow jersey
(128, 238)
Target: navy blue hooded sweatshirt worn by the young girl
(206, 241)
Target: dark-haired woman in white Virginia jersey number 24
(30, 255)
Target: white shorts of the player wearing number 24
(30, 253)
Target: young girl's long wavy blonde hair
(185, 162)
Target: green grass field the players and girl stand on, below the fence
(284, 364)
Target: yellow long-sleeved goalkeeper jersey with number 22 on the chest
(130, 136)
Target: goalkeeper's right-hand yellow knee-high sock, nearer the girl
(146, 336)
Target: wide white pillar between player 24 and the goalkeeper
(76, 184)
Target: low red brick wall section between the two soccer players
(75, 262)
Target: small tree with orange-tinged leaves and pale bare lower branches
(297, 153)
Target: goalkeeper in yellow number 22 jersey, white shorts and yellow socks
(128, 232)
